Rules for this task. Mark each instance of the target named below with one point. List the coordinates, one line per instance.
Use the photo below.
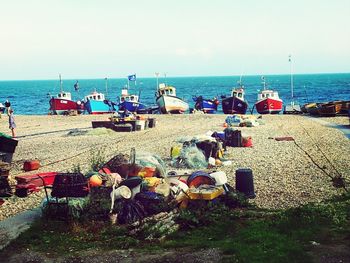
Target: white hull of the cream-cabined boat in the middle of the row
(171, 104)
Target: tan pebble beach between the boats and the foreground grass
(285, 172)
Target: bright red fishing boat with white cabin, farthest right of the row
(268, 101)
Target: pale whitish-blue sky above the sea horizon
(104, 38)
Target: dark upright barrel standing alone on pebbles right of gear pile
(244, 182)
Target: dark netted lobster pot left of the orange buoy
(70, 185)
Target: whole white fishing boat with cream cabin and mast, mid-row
(167, 100)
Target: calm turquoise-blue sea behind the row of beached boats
(31, 97)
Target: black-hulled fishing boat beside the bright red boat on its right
(235, 104)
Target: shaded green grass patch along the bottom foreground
(243, 235)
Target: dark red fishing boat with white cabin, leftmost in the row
(63, 103)
